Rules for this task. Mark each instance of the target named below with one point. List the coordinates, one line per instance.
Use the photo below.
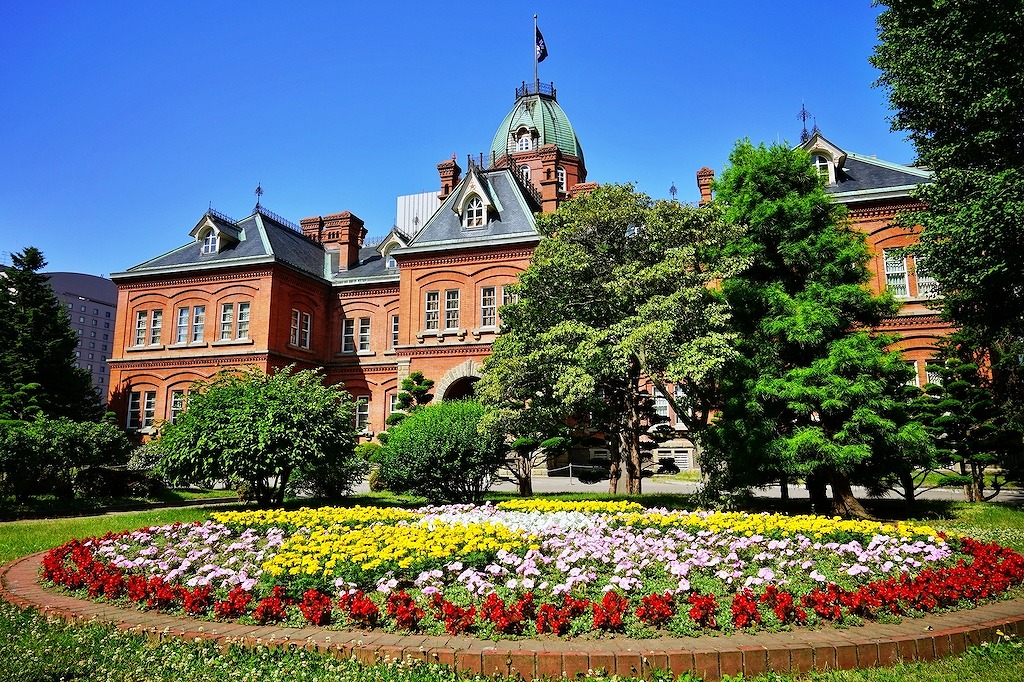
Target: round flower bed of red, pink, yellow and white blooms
(534, 568)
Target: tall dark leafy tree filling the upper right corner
(953, 72)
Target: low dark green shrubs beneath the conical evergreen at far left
(46, 455)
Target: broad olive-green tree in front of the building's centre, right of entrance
(619, 301)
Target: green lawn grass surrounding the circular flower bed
(37, 650)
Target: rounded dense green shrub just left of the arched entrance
(439, 453)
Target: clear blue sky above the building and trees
(121, 122)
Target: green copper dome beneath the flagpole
(537, 111)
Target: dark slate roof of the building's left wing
(263, 239)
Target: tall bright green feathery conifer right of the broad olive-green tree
(813, 394)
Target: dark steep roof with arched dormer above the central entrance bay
(514, 220)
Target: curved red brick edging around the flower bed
(925, 638)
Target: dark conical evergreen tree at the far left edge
(38, 371)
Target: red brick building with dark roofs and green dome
(265, 292)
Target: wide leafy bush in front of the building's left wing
(269, 431)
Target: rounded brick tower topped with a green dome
(537, 141)
